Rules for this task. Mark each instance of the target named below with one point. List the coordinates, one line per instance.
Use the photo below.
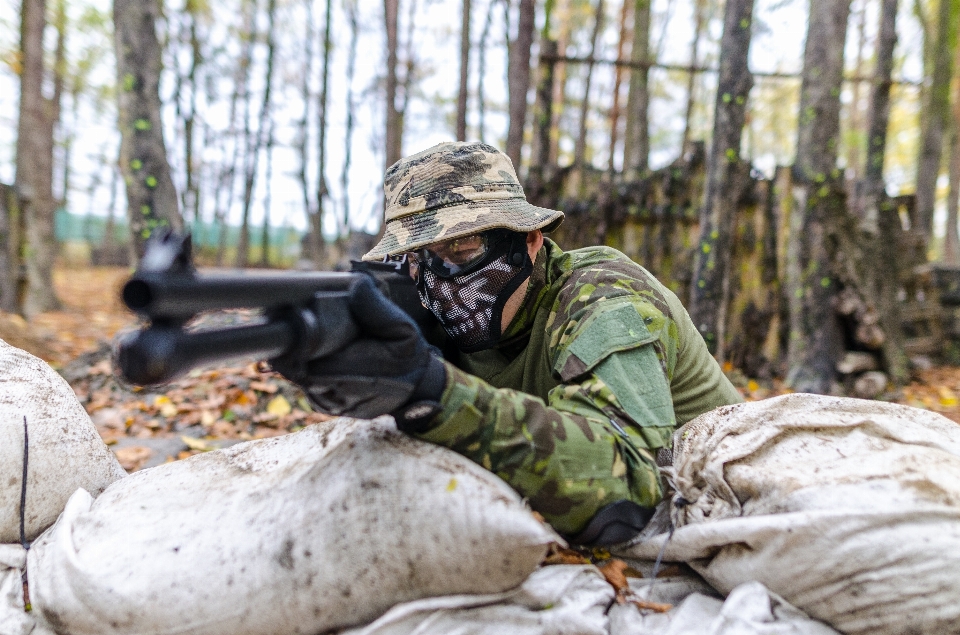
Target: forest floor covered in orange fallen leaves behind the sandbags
(216, 407)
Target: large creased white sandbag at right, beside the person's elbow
(848, 509)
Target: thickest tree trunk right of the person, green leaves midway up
(814, 332)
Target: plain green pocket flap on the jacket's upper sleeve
(617, 326)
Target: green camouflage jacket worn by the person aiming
(597, 369)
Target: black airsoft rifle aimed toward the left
(303, 315)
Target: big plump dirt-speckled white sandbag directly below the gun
(325, 528)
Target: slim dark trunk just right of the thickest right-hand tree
(880, 221)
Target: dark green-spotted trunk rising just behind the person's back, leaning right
(711, 290)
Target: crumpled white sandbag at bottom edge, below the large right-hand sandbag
(750, 609)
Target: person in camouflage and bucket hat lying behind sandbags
(568, 370)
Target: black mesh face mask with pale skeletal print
(469, 303)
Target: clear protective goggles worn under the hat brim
(459, 256)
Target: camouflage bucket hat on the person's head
(453, 190)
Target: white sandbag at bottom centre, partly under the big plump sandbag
(554, 600)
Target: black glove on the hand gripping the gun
(388, 368)
